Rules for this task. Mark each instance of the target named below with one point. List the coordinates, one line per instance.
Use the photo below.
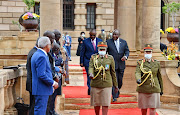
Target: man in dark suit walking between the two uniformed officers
(118, 48)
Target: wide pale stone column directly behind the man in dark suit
(126, 23)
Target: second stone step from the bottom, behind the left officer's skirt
(87, 100)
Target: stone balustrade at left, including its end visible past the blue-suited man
(13, 86)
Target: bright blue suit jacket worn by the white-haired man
(42, 79)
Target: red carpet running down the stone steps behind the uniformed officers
(81, 92)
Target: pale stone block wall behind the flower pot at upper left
(10, 10)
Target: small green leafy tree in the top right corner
(172, 9)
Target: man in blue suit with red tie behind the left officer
(89, 47)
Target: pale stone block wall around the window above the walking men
(104, 19)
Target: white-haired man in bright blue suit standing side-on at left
(42, 80)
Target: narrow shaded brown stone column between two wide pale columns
(139, 4)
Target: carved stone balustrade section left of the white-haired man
(10, 89)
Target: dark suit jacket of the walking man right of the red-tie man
(123, 51)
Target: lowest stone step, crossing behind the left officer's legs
(112, 106)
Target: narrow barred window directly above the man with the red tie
(91, 16)
